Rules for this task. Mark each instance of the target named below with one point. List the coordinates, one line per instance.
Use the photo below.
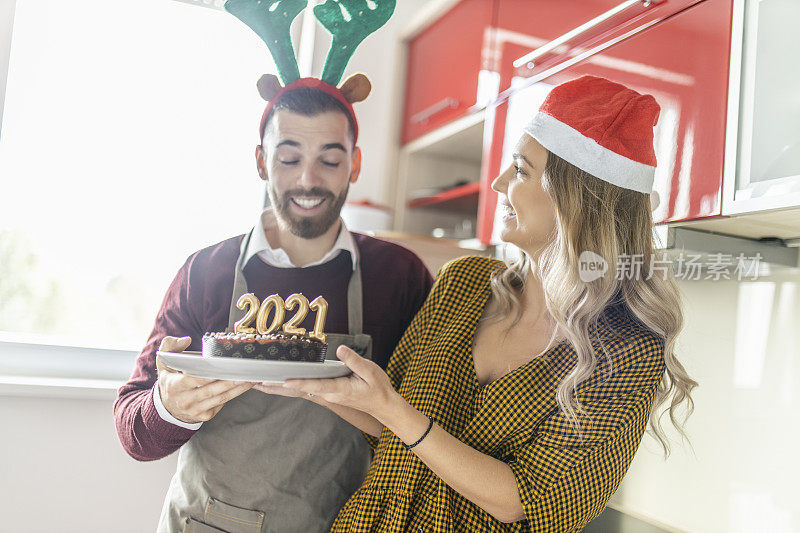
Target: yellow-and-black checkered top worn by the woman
(564, 480)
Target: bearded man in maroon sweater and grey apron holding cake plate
(250, 461)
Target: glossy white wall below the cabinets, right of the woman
(742, 344)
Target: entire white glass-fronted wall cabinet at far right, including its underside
(761, 189)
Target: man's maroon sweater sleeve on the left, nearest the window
(144, 434)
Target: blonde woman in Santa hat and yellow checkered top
(519, 394)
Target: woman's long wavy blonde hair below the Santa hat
(613, 222)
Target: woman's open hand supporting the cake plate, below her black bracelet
(367, 389)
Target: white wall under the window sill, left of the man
(63, 469)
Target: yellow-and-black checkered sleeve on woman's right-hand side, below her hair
(565, 479)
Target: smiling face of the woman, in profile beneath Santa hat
(529, 214)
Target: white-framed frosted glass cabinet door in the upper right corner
(767, 173)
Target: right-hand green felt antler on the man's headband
(349, 22)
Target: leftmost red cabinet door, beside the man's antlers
(443, 66)
